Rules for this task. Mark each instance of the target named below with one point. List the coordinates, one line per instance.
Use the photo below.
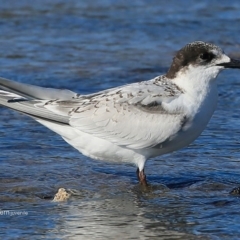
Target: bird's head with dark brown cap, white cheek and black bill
(200, 60)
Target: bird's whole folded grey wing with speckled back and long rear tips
(132, 115)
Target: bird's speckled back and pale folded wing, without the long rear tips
(126, 116)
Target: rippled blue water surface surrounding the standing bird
(88, 46)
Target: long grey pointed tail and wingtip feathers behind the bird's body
(29, 99)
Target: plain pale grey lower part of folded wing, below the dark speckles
(128, 125)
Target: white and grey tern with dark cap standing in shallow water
(134, 122)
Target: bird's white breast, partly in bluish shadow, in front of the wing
(200, 106)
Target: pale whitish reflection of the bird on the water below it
(121, 216)
